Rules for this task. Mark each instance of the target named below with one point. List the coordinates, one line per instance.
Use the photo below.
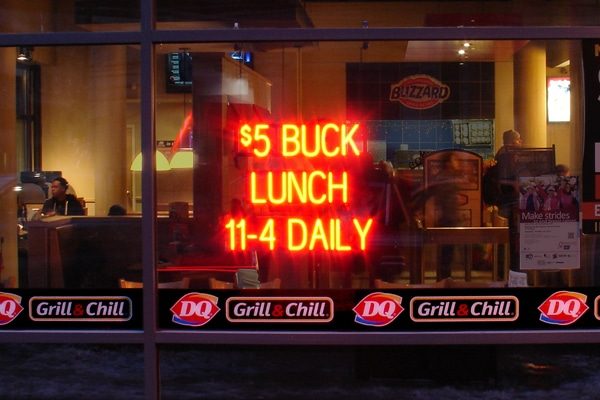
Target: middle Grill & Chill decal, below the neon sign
(279, 309)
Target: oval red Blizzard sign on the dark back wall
(419, 92)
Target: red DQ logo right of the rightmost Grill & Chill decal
(563, 308)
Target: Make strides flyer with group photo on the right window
(549, 222)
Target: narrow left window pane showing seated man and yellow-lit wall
(71, 193)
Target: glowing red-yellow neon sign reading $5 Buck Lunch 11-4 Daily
(321, 191)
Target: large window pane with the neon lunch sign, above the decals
(355, 165)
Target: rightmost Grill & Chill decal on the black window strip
(464, 309)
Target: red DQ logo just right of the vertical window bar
(195, 309)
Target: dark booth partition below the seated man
(88, 252)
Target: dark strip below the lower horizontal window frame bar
(116, 372)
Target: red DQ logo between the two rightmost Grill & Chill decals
(378, 309)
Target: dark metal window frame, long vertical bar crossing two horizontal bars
(151, 337)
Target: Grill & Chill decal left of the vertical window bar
(80, 308)
